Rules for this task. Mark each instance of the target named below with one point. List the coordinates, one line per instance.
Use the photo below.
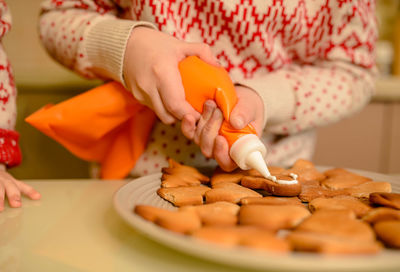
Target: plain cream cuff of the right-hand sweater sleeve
(277, 95)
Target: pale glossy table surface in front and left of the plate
(74, 228)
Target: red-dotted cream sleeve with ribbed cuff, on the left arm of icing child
(87, 36)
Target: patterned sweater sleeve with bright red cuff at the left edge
(10, 154)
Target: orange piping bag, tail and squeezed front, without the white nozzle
(108, 125)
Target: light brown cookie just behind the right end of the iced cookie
(306, 172)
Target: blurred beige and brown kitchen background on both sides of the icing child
(369, 140)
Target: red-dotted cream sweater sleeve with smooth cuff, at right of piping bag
(335, 84)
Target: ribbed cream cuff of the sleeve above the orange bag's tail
(105, 45)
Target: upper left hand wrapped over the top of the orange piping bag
(151, 72)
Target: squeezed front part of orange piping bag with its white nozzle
(204, 82)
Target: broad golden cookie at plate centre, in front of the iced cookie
(272, 217)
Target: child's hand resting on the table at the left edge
(13, 188)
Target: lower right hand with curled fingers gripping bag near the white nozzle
(249, 109)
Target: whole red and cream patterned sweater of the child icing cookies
(312, 62)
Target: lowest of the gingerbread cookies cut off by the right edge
(388, 232)
